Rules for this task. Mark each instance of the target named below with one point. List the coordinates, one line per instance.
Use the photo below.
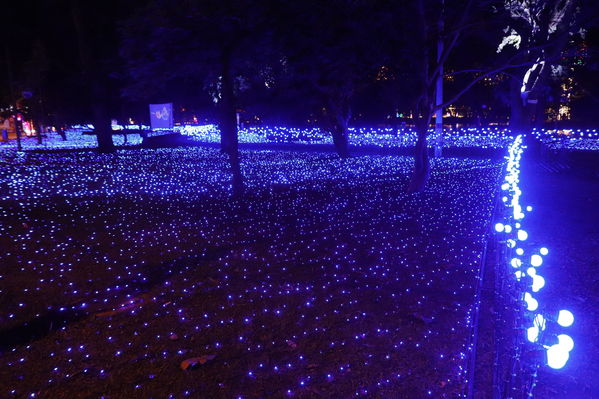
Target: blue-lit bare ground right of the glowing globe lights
(566, 220)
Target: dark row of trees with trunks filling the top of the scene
(331, 63)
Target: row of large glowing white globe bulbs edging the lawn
(526, 262)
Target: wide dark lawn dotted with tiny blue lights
(327, 280)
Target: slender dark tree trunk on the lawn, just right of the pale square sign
(228, 123)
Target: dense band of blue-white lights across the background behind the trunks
(80, 136)
